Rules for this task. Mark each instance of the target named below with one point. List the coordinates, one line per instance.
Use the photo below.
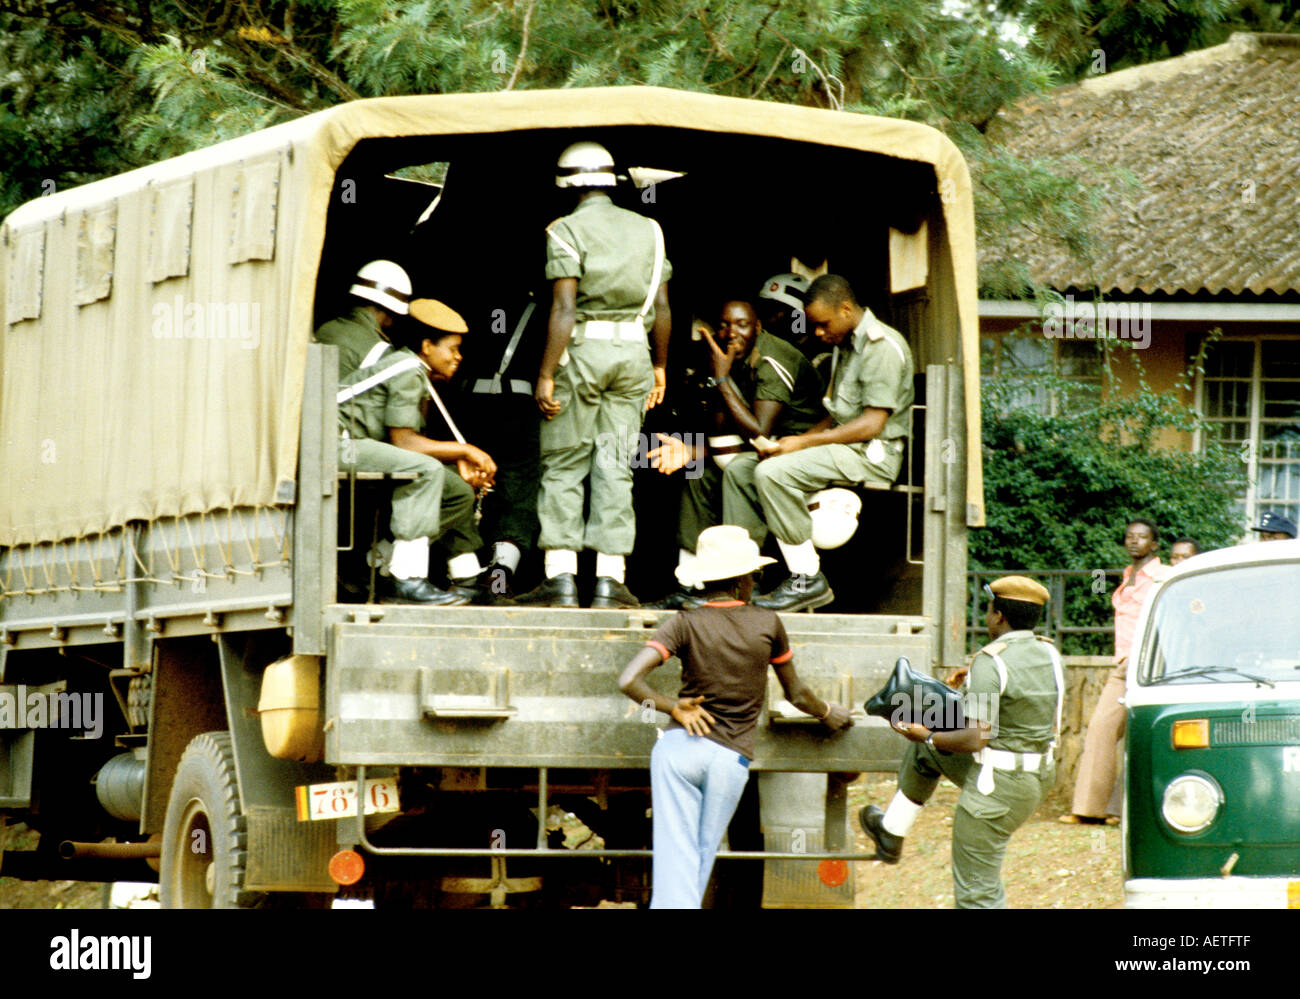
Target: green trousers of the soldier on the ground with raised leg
(982, 825)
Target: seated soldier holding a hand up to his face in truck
(764, 387)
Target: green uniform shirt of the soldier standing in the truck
(610, 252)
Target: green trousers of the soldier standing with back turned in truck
(603, 393)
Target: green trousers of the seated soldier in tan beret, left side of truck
(439, 505)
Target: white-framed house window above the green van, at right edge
(1250, 395)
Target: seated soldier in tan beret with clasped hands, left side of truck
(380, 409)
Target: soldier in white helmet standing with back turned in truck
(596, 380)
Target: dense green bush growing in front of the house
(1060, 491)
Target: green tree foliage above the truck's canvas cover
(92, 89)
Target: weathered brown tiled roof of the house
(1212, 141)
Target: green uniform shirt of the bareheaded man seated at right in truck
(874, 373)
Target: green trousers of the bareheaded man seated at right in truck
(773, 494)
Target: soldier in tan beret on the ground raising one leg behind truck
(1003, 758)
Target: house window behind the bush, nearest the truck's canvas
(1029, 357)
